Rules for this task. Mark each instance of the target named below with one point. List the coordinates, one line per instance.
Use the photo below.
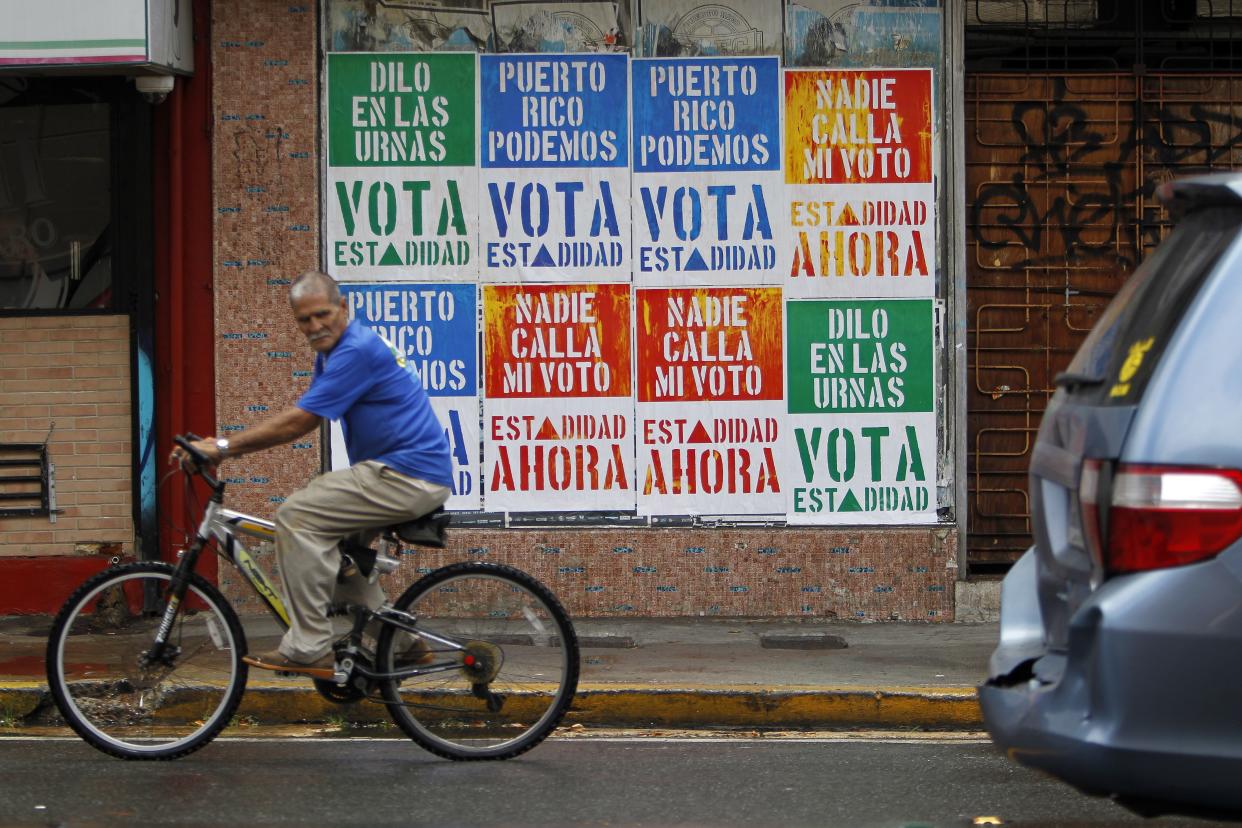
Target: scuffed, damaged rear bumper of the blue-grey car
(1147, 701)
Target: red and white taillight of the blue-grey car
(1161, 516)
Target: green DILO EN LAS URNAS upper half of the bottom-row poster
(856, 357)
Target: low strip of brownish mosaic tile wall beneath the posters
(864, 575)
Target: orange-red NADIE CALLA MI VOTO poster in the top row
(859, 166)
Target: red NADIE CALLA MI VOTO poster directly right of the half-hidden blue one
(558, 407)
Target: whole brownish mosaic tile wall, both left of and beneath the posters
(266, 182)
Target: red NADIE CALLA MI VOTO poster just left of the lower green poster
(710, 412)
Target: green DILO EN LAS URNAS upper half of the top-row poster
(401, 110)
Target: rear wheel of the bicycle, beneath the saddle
(509, 680)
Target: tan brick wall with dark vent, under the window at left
(70, 377)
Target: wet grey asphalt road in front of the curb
(645, 780)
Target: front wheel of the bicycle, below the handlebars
(121, 697)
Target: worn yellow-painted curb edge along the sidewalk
(604, 706)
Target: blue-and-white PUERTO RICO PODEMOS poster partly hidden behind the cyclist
(434, 332)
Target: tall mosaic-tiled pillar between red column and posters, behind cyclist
(265, 174)
